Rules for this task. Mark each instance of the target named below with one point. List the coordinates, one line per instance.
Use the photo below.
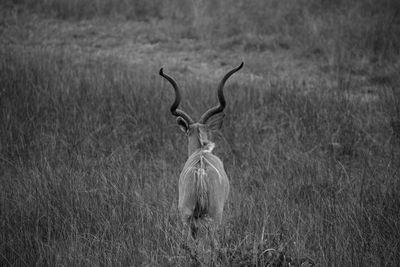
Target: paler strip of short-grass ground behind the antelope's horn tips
(154, 44)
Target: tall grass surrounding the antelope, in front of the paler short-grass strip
(90, 158)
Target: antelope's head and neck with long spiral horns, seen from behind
(211, 120)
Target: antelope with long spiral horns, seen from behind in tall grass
(203, 183)
